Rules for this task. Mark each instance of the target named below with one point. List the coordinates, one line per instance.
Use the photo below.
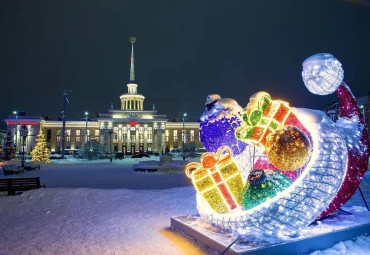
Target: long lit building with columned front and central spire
(129, 130)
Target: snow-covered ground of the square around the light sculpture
(98, 207)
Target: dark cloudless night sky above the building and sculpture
(184, 51)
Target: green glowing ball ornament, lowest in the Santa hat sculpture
(263, 185)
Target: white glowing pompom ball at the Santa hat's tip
(322, 74)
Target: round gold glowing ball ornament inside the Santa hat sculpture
(288, 148)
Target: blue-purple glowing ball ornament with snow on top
(218, 123)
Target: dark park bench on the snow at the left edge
(12, 185)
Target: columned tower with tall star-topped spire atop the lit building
(132, 101)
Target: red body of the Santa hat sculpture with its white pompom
(326, 70)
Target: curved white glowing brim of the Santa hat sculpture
(293, 209)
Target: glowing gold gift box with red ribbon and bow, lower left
(218, 180)
